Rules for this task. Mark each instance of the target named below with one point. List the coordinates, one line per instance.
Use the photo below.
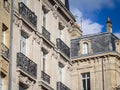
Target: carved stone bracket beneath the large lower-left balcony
(25, 81)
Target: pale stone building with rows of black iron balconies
(40, 53)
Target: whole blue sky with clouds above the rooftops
(92, 15)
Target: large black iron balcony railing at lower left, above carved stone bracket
(27, 65)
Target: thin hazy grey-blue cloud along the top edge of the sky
(92, 5)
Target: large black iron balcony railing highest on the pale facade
(28, 14)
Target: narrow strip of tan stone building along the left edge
(4, 43)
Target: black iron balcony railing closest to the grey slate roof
(63, 47)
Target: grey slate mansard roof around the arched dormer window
(100, 43)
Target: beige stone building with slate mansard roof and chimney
(96, 61)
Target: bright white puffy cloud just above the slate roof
(87, 25)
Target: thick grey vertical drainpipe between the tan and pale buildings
(11, 44)
